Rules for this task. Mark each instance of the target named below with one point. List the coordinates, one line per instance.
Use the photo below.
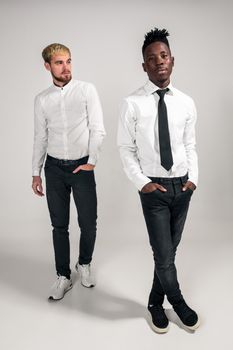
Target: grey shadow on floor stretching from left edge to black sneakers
(32, 278)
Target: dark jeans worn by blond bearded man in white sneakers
(59, 182)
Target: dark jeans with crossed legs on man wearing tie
(165, 214)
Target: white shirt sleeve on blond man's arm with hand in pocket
(95, 124)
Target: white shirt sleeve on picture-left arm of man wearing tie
(126, 140)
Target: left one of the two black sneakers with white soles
(159, 320)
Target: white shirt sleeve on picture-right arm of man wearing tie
(190, 144)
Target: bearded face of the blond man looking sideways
(60, 68)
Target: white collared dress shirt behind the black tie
(138, 138)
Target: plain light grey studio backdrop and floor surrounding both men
(105, 38)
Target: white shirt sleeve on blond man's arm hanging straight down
(40, 138)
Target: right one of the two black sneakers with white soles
(188, 317)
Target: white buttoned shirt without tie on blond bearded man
(68, 124)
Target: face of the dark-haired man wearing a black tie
(158, 63)
